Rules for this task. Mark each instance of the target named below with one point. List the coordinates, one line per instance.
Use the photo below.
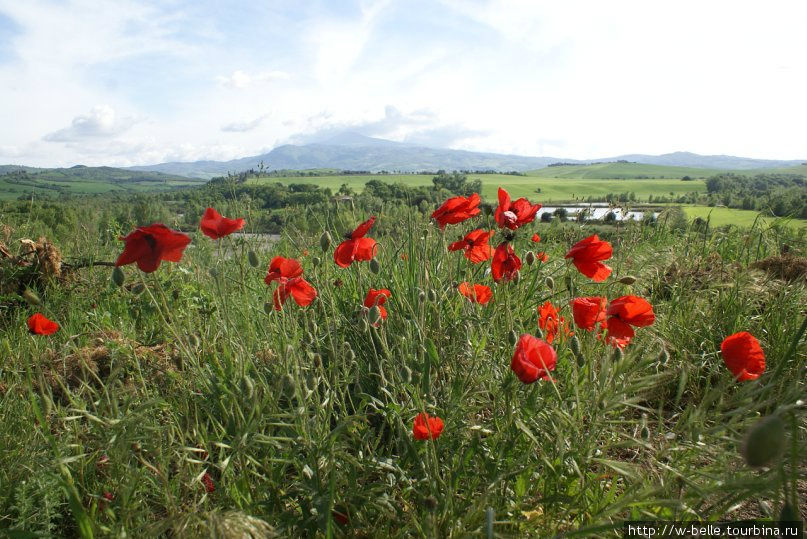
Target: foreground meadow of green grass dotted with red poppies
(464, 372)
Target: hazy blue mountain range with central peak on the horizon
(353, 151)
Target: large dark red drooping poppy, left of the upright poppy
(148, 245)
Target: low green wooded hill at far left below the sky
(23, 181)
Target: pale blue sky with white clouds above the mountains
(125, 82)
